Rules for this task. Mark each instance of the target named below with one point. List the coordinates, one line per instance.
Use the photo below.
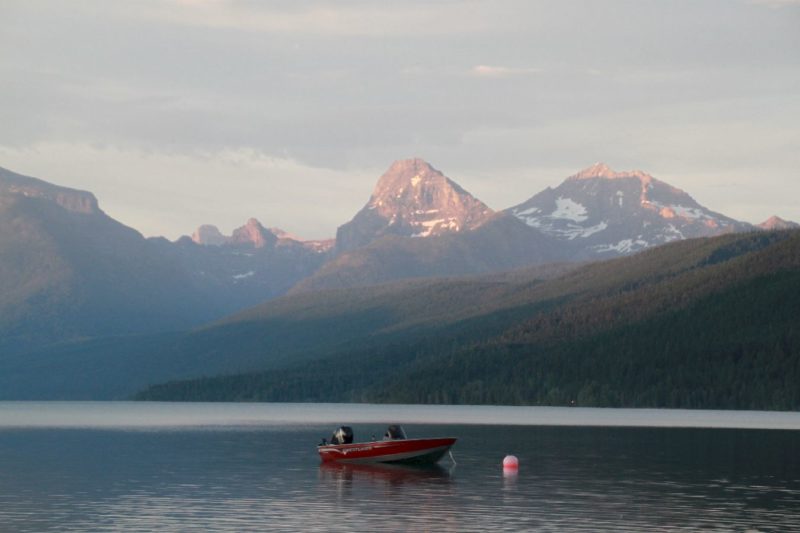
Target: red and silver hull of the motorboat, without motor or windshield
(406, 451)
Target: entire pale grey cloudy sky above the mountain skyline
(178, 113)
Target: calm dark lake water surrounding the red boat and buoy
(76, 466)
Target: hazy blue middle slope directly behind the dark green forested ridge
(284, 331)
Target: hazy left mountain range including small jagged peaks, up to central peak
(68, 271)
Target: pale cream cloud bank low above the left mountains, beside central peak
(171, 194)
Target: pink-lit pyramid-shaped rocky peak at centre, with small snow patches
(412, 199)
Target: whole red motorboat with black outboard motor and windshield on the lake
(394, 448)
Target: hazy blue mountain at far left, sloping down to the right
(67, 270)
